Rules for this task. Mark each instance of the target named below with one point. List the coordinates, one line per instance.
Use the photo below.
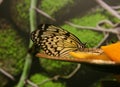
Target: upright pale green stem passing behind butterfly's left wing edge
(28, 58)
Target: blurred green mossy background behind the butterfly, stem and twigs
(14, 40)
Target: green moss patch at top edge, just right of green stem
(51, 7)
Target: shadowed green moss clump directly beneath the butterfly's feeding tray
(57, 67)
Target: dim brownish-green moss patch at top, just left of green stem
(19, 10)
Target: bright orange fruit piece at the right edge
(113, 51)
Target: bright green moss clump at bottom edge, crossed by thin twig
(38, 78)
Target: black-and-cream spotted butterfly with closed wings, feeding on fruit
(55, 41)
